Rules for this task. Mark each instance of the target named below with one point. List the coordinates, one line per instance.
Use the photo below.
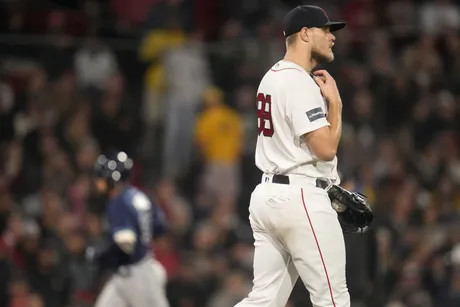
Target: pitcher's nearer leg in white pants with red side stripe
(317, 247)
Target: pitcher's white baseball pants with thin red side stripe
(296, 233)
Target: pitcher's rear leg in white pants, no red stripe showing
(274, 272)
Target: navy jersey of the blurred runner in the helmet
(133, 210)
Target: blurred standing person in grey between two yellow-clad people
(188, 77)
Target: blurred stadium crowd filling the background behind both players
(173, 84)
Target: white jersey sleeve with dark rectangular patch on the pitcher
(305, 107)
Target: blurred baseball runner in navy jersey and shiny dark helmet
(139, 280)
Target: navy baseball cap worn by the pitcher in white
(308, 16)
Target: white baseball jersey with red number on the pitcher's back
(290, 104)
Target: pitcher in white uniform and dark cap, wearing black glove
(296, 229)
